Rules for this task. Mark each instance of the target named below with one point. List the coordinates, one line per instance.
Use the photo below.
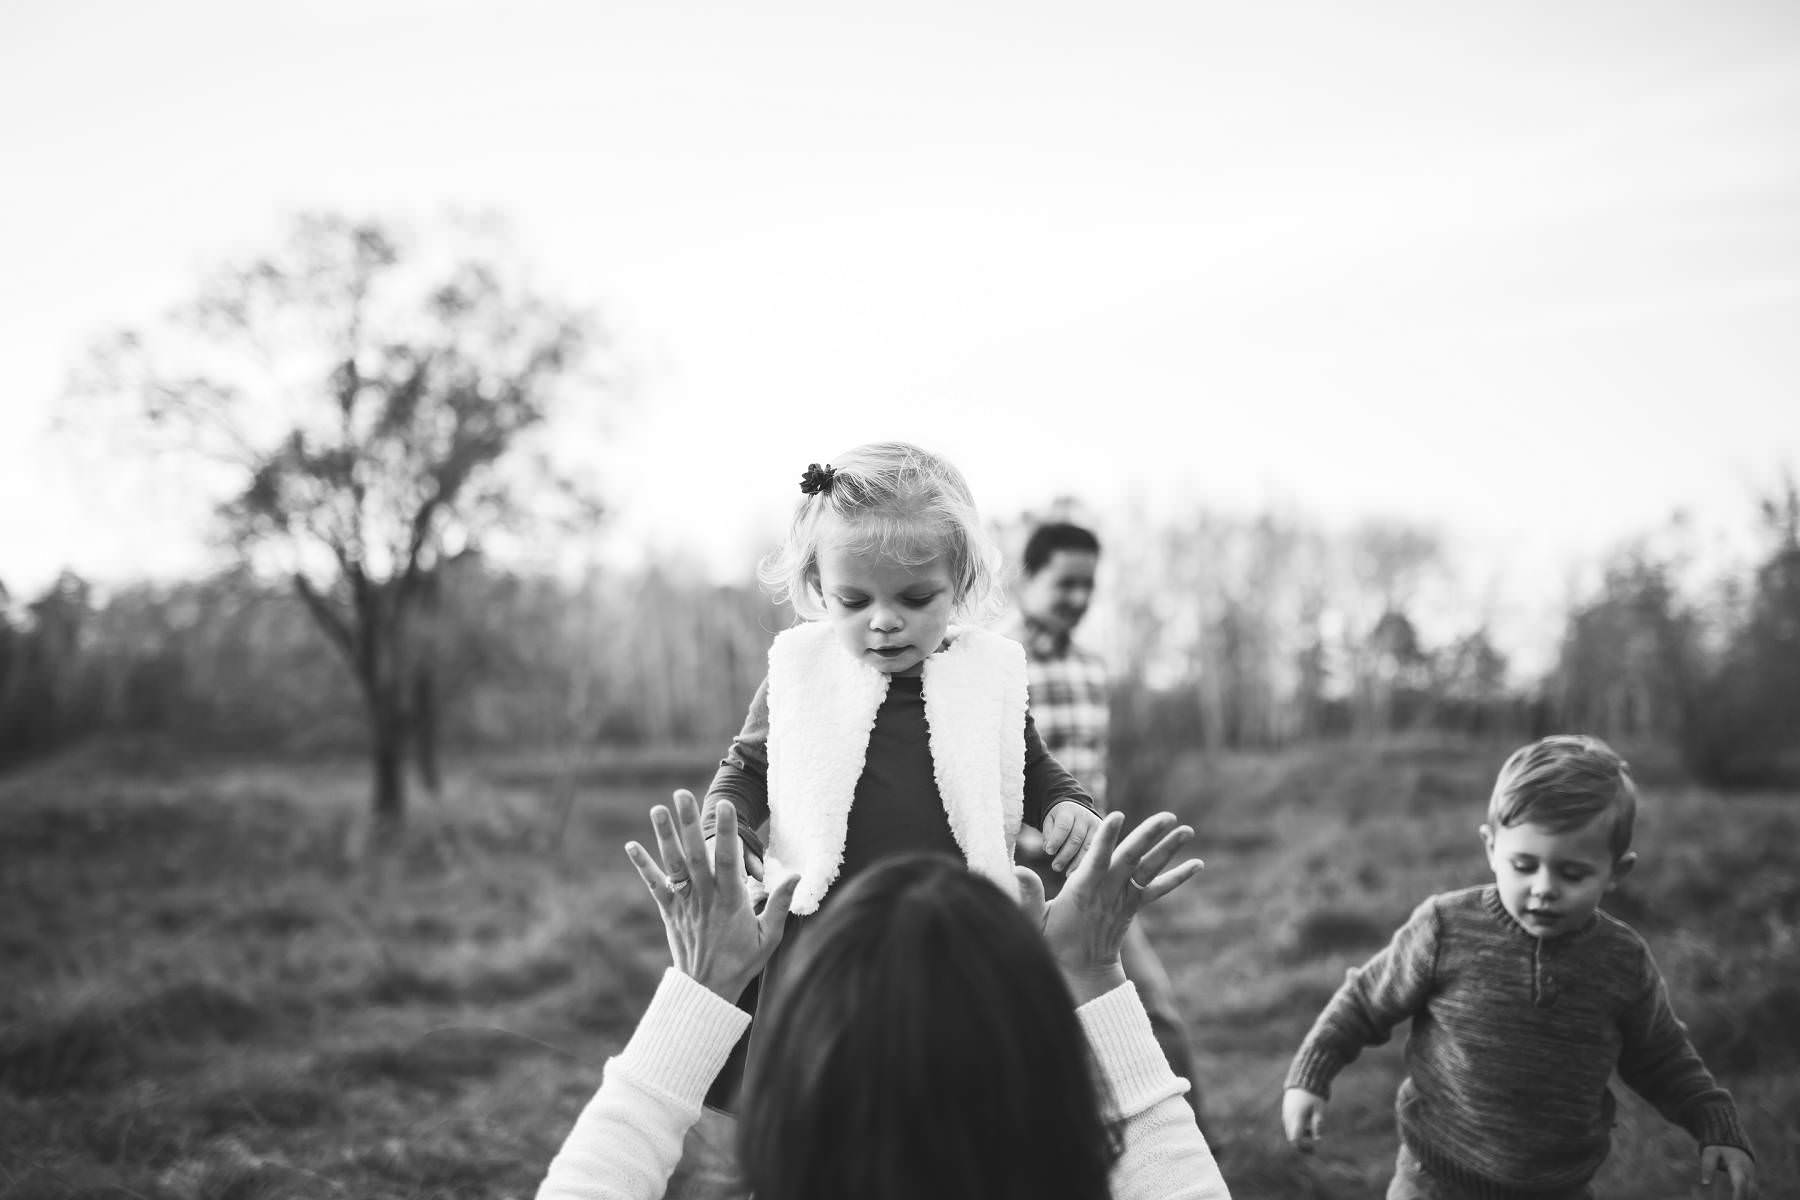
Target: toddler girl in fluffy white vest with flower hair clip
(888, 722)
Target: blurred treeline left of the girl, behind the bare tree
(512, 663)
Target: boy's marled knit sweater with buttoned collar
(1513, 1044)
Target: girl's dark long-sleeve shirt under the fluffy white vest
(897, 805)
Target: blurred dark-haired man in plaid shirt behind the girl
(1070, 704)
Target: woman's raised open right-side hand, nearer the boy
(1086, 924)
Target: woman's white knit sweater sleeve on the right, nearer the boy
(1165, 1154)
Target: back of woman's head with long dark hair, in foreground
(921, 1043)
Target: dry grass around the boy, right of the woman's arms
(1315, 857)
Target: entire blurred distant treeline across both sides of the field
(1227, 632)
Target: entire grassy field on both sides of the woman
(208, 999)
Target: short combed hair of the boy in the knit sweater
(1563, 784)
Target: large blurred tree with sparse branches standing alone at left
(377, 402)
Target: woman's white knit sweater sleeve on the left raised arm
(629, 1138)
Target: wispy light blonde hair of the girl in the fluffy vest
(895, 501)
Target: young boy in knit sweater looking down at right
(1524, 999)
